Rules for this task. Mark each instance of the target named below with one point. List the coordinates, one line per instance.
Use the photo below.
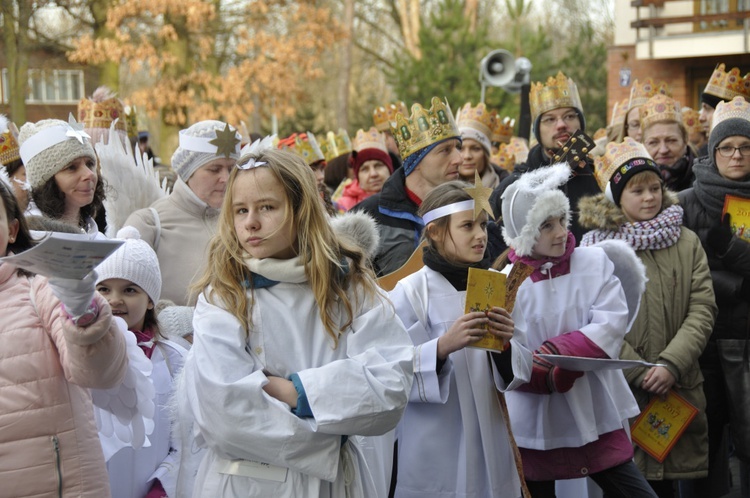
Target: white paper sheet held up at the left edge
(64, 255)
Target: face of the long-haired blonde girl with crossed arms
(262, 223)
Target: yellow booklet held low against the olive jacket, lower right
(661, 423)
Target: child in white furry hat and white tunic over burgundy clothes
(568, 424)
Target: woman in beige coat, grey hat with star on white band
(179, 226)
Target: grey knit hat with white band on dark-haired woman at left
(49, 145)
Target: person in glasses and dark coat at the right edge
(722, 185)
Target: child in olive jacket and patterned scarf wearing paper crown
(676, 314)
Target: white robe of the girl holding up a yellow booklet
(453, 439)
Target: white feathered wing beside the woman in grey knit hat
(134, 184)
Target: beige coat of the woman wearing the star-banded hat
(179, 237)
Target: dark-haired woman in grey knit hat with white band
(61, 168)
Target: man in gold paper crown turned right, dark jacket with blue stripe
(429, 143)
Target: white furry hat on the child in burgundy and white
(528, 202)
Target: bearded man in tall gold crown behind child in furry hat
(556, 113)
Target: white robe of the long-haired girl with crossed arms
(257, 447)
